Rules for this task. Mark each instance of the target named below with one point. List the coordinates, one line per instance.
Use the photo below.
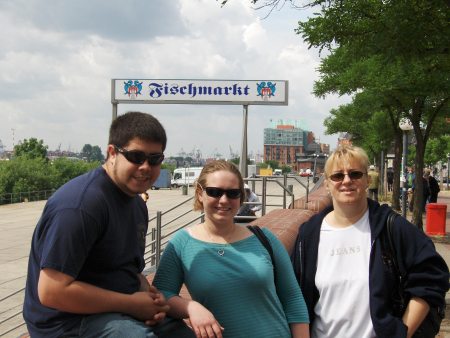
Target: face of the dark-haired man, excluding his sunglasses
(133, 178)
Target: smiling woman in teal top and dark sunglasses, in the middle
(227, 270)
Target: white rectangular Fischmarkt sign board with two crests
(241, 92)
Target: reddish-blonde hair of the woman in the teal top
(211, 167)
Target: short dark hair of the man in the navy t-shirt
(136, 124)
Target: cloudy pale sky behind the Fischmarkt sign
(57, 60)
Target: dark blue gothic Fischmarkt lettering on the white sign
(157, 90)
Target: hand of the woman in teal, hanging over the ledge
(203, 322)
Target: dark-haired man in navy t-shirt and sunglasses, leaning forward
(87, 252)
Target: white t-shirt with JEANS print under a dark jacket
(342, 279)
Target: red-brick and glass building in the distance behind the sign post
(291, 145)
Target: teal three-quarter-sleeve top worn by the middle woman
(236, 283)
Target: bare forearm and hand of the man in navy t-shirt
(60, 291)
